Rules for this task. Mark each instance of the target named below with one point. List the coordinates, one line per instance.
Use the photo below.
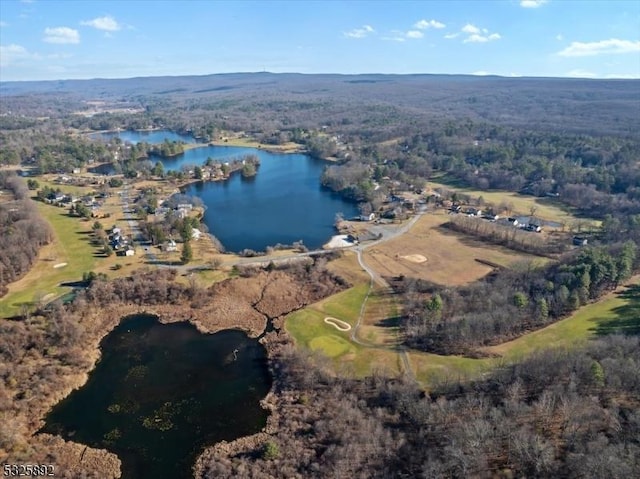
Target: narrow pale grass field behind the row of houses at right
(546, 208)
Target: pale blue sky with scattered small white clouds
(49, 39)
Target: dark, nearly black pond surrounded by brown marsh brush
(162, 392)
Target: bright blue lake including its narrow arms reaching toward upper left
(283, 203)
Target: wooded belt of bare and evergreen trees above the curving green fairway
(509, 303)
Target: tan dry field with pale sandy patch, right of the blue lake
(430, 252)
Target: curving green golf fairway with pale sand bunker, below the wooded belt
(619, 312)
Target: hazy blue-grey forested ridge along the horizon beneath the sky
(581, 105)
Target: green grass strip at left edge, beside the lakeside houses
(71, 245)
